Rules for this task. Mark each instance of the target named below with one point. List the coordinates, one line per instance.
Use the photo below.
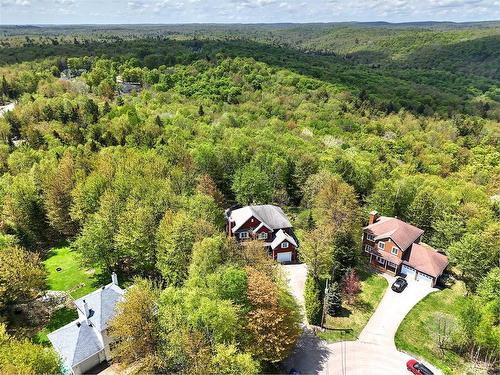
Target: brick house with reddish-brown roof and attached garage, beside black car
(394, 247)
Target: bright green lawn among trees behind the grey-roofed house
(72, 277)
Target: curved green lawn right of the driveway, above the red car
(415, 335)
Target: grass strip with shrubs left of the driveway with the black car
(354, 317)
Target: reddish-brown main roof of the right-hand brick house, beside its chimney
(403, 234)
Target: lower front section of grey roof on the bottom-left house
(75, 342)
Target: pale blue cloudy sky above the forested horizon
(242, 11)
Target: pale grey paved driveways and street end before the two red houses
(374, 352)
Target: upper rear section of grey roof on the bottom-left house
(101, 304)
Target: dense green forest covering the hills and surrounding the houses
(327, 121)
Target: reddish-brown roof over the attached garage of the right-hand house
(427, 260)
